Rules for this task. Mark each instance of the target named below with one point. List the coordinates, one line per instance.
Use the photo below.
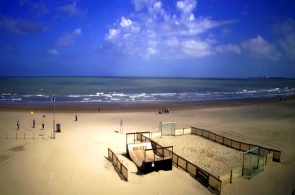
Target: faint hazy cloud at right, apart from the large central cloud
(260, 48)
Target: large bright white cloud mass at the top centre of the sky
(153, 31)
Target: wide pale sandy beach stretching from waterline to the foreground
(75, 162)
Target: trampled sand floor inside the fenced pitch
(208, 155)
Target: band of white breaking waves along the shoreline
(182, 96)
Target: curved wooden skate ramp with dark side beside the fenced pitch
(146, 160)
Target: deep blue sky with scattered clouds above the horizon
(182, 38)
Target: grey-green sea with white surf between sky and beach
(105, 90)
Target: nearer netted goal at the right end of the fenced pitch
(252, 163)
